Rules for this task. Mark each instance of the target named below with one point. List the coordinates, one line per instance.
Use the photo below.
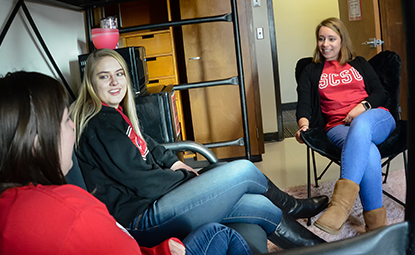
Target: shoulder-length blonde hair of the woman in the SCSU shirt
(346, 53)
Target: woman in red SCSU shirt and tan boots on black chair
(342, 94)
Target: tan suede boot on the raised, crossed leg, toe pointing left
(342, 201)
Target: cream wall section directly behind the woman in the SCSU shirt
(295, 23)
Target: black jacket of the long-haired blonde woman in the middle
(115, 172)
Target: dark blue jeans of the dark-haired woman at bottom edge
(214, 239)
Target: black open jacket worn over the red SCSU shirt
(308, 104)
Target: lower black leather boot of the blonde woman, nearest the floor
(291, 234)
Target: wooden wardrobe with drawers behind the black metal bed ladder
(208, 54)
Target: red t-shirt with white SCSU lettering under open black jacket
(341, 89)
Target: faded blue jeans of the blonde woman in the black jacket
(231, 193)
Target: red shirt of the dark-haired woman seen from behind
(61, 220)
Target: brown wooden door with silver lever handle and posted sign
(380, 19)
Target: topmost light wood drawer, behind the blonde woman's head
(154, 43)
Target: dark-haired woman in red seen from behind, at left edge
(41, 215)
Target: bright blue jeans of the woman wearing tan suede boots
(361, 160)
